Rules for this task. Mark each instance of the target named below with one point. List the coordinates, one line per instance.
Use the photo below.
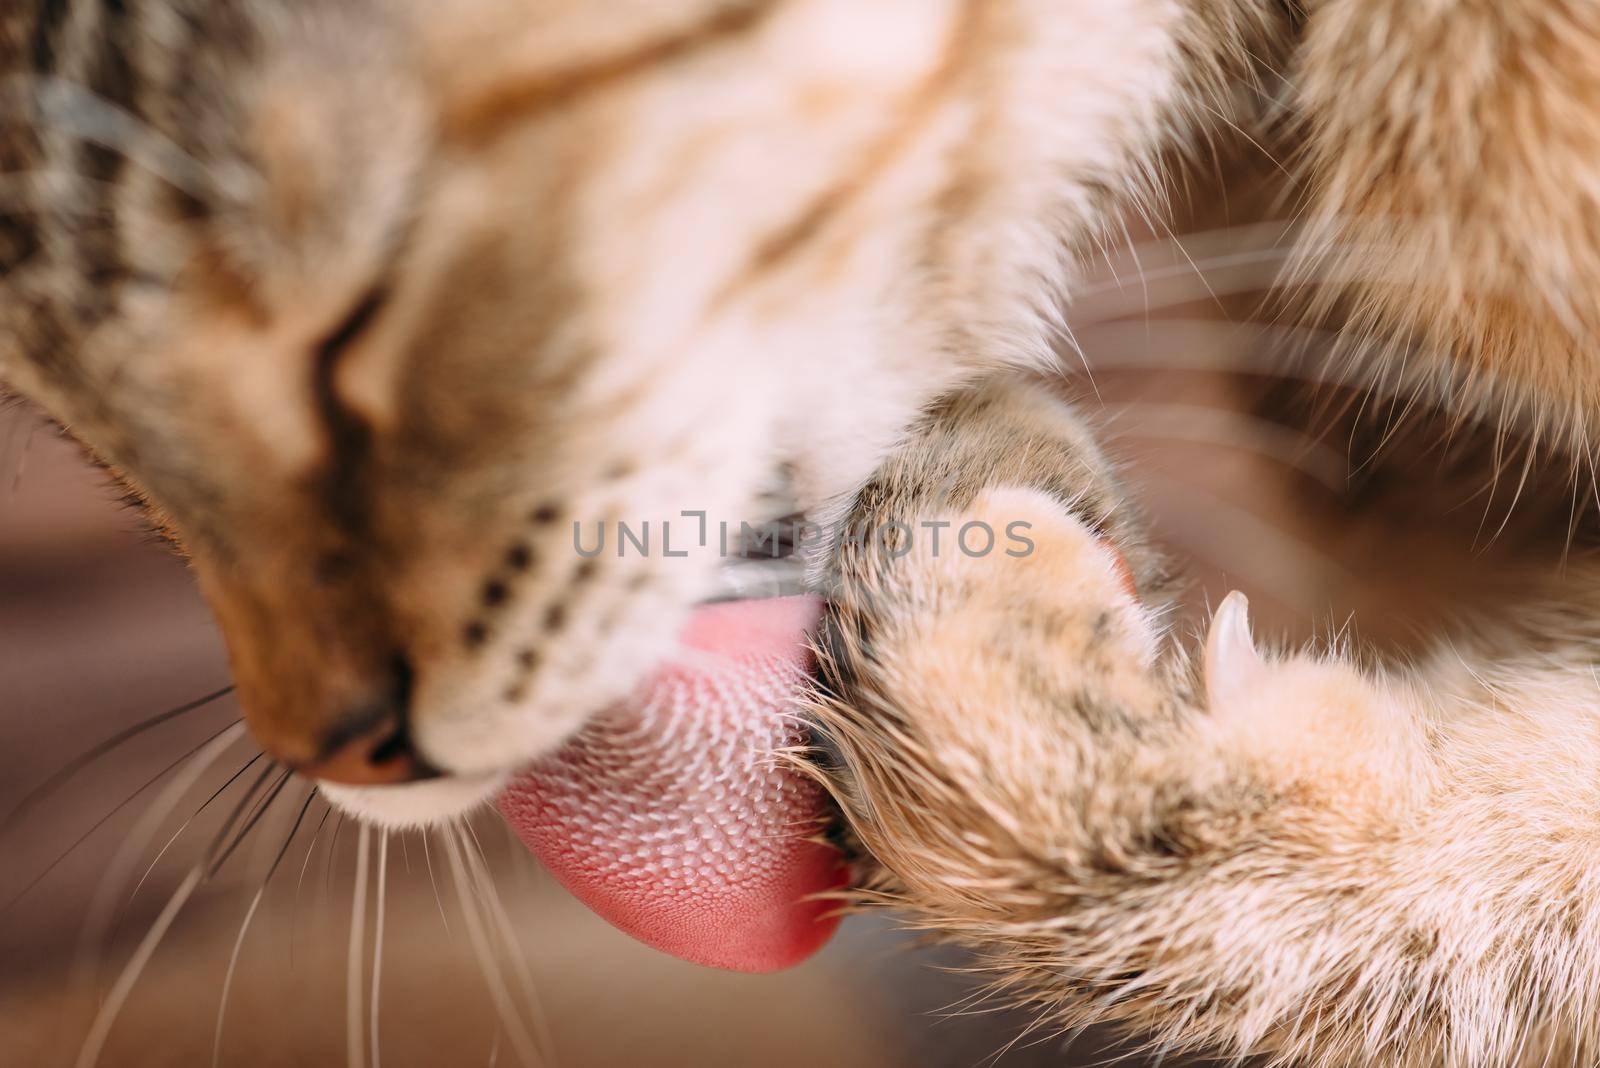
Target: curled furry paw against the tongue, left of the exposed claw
(970, 701)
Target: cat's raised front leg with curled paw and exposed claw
(1246, 855)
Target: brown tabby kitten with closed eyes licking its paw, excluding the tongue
(372, 301)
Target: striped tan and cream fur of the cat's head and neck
(575, 273)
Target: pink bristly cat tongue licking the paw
(670, 816)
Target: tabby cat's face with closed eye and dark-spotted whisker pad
(394, 322)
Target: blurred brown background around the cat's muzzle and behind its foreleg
(100, 631)
